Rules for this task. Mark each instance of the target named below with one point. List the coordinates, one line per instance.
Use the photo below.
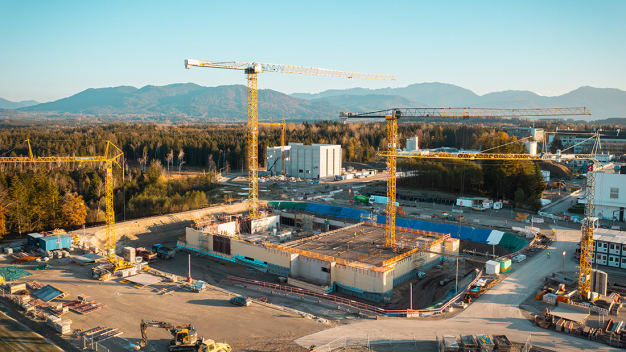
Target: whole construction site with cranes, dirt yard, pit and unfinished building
(292, 272)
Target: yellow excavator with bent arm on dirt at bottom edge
(185, 338)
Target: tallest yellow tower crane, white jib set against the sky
(252, 69)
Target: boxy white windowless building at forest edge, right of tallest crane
(314, 161)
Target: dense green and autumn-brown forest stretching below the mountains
(153, 151)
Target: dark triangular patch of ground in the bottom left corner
(15, 337)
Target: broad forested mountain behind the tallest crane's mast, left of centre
(226, 103)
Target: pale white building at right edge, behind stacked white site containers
(610, 197)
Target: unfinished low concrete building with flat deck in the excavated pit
(351, 259)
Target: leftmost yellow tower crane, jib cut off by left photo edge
(111, 156)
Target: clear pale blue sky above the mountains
(53, 49)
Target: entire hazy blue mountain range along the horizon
(229, 103)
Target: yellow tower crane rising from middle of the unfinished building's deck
(392, 116)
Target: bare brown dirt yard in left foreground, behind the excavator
(254, 328)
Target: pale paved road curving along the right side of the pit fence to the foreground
(496, 312)
